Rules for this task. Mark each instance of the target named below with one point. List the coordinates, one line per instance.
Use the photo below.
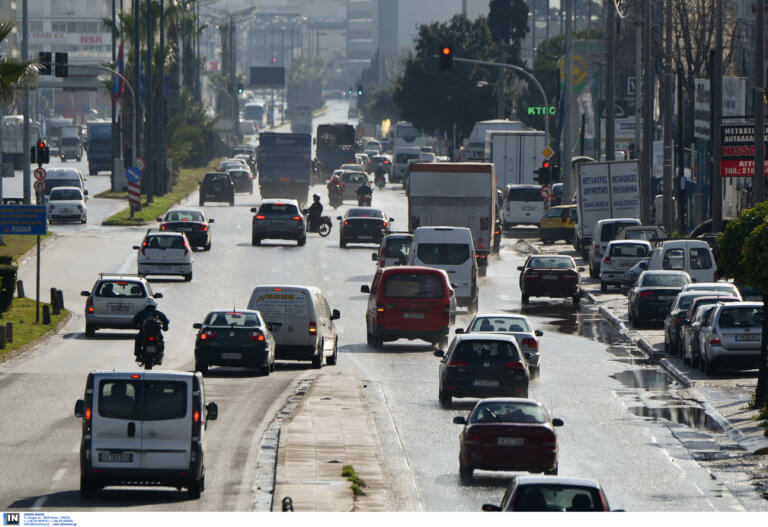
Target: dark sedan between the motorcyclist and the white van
(234, 338)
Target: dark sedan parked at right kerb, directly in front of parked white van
(653, 294)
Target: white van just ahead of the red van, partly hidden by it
(450, 249)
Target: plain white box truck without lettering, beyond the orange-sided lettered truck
(515, 155)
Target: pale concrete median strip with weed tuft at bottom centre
(331, 428)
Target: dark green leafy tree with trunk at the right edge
(743, 256)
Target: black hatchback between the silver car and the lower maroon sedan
(482, 365)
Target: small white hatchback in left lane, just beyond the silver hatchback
(165, 253)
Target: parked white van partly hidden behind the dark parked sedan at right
(692, 256)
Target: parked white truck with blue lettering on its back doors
(605, 190)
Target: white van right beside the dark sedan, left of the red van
(300, 320)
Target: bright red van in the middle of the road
(409, 302)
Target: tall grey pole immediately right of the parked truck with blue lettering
(646, 163)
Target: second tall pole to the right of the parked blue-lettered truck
(669, 104)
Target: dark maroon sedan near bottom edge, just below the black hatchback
(508, 434)
